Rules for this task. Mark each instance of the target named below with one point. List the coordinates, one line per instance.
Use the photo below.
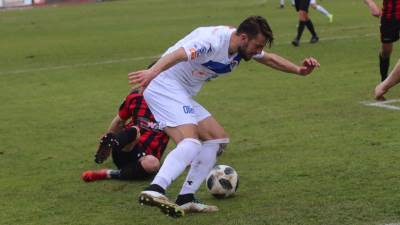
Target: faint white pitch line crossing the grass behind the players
(32, 70)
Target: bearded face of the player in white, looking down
(251, 47)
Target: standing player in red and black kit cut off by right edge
(390, 28)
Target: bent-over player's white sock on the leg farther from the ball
(176, 161)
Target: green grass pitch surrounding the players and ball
(307, 151)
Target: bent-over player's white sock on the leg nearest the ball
(201, 166)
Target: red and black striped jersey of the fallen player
(135, 108)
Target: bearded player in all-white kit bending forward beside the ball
(204, 54)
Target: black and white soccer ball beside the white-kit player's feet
(222, 181)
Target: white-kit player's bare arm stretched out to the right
(279, 63)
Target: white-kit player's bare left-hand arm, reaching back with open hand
(143, 77)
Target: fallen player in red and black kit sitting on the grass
(135, 151)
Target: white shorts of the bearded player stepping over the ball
(172, 106)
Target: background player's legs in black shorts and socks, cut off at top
(304, 21)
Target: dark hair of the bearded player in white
(254, 25)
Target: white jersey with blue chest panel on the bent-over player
(207, 52)
